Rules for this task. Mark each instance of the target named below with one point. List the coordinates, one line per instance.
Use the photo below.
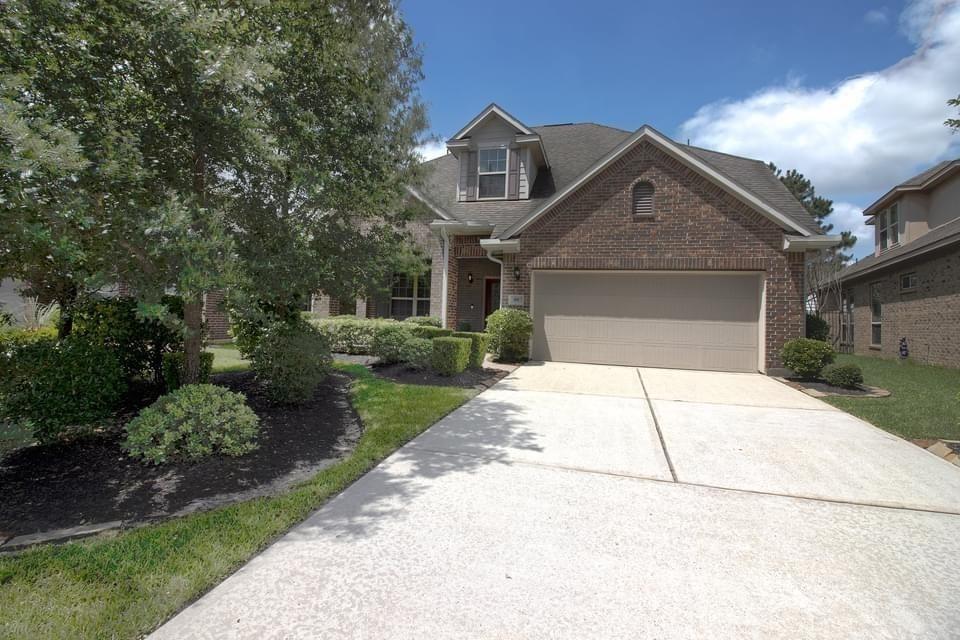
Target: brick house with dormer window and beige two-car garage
(626, 247)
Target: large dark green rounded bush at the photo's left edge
(51, 387)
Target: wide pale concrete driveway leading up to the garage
(580, 501)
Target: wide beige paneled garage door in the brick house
(682, 321)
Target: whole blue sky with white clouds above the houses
(825, 87)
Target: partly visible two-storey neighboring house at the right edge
(909, 289)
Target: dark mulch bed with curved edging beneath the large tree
(92, 480)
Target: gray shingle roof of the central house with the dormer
(572, 149)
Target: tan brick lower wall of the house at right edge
(929, 317)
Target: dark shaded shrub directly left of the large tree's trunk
(140, 342)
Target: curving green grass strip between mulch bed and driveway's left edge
(125, 586)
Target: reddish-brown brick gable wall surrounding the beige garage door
(696, 226)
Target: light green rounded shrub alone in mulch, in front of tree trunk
(194, 421)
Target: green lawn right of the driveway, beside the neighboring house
(923, 403)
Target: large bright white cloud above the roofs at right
(860, 137)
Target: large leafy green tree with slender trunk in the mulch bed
(260, 145)
